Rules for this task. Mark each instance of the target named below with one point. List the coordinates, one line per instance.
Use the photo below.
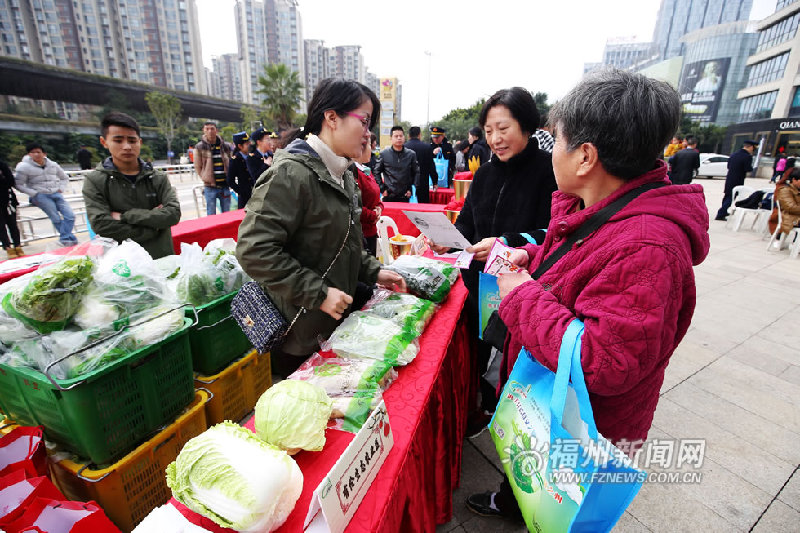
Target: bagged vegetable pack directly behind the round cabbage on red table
(354, 385)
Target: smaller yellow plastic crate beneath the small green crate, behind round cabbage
(237, 388)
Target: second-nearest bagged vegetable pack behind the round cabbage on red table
(364, 335)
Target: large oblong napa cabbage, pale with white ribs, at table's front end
(232, 477)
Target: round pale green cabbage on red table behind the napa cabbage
(292, 415)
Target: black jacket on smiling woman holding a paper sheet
(510, 200)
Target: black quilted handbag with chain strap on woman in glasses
(260, 319)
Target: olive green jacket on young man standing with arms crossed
(107, 190)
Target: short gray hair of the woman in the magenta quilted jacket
(628, 117)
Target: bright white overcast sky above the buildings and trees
(476, 48)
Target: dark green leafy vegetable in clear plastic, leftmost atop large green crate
(51, 296)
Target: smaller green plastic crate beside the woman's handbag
(216, 339)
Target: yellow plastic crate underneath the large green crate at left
(129, 489)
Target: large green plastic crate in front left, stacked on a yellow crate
(108, 412)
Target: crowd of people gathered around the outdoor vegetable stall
(313, 197)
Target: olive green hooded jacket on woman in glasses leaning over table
(295, 222)
